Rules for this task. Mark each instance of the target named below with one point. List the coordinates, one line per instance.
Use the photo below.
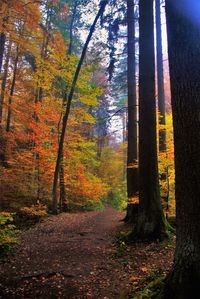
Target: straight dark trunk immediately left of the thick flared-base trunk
(132, 154)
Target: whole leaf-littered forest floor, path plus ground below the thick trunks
(76, 256)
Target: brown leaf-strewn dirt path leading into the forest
(67, 256)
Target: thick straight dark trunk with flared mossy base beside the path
(150, 224)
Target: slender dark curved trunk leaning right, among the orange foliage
(69, 100)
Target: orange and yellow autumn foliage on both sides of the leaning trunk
(36, 71)
